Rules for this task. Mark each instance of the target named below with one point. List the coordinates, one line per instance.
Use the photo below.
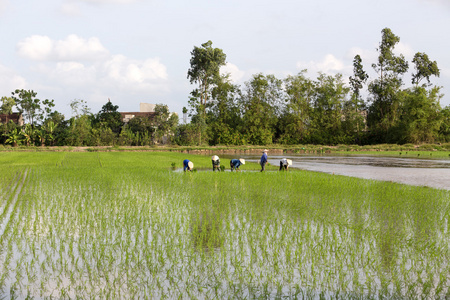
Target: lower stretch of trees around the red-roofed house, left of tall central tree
(47, 127)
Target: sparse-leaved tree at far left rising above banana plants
(34, 109)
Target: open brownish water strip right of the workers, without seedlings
(420, 172)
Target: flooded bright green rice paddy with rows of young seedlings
(122, 225)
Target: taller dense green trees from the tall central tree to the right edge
(325, 110)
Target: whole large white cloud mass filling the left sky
(83, 67)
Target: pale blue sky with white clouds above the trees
(133, 51)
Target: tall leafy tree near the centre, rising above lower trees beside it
(204, 71)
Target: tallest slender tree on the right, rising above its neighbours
(385, 109)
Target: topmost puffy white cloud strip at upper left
(73, 48)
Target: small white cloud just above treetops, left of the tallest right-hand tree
(329, 65)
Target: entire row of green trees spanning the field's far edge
(265, 110)
